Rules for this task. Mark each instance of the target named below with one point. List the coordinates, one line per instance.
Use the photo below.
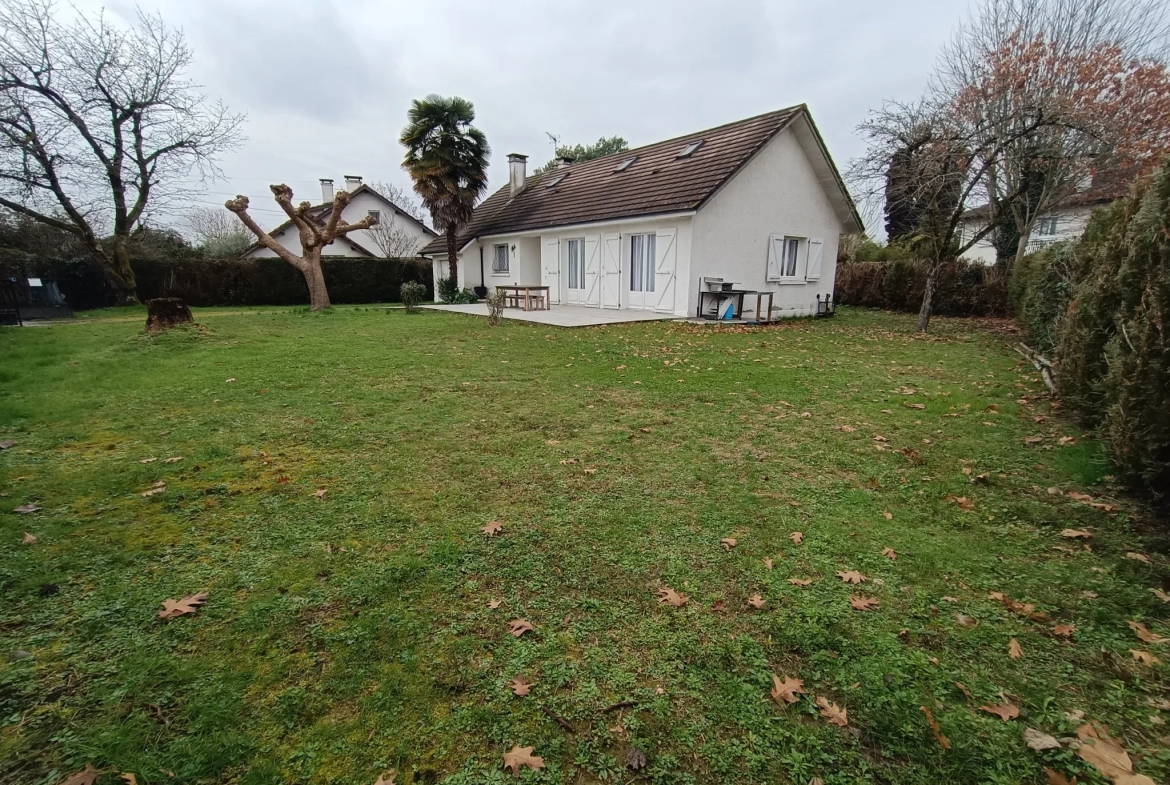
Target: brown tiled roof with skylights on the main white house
(658, 182)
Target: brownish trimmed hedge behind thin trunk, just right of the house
(965, 288)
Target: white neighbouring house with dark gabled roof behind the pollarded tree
(397, 233)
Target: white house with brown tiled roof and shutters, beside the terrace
(758, 203)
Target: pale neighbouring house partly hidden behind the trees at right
(1066, 223)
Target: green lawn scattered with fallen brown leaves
(352, 635)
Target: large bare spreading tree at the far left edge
(98, 125)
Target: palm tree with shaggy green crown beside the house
(448, 157)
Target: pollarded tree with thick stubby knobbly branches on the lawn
(316, 230)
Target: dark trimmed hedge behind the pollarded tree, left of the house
(205, 283)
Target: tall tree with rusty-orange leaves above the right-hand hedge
(1091, 68)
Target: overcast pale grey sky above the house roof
(327, 84)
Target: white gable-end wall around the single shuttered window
(777, 192)
